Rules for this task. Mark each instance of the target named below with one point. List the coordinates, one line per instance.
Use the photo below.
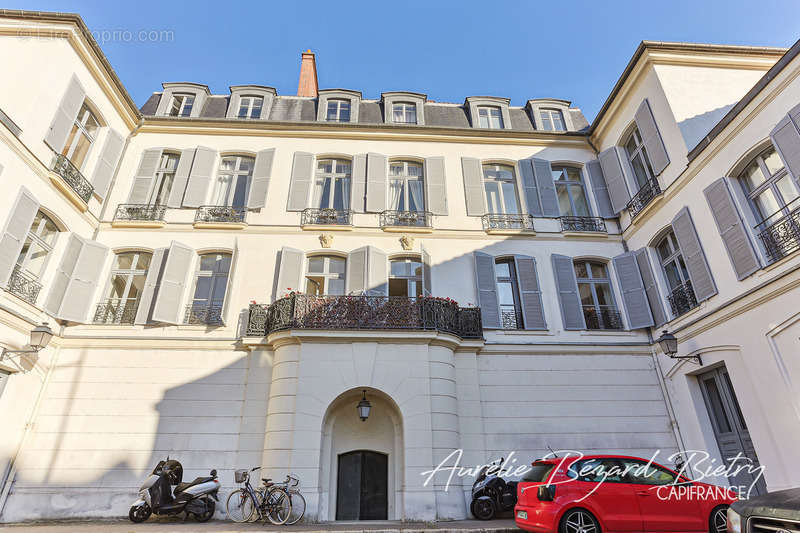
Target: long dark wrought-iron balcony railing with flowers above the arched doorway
(302, 311)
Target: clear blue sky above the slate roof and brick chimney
(448, 50)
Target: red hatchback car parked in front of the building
(605, 493)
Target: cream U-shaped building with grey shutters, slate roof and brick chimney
(228, 275)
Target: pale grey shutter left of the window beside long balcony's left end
(169, 299)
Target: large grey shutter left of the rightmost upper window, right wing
(734, 236)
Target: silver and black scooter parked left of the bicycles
(157, 496)
